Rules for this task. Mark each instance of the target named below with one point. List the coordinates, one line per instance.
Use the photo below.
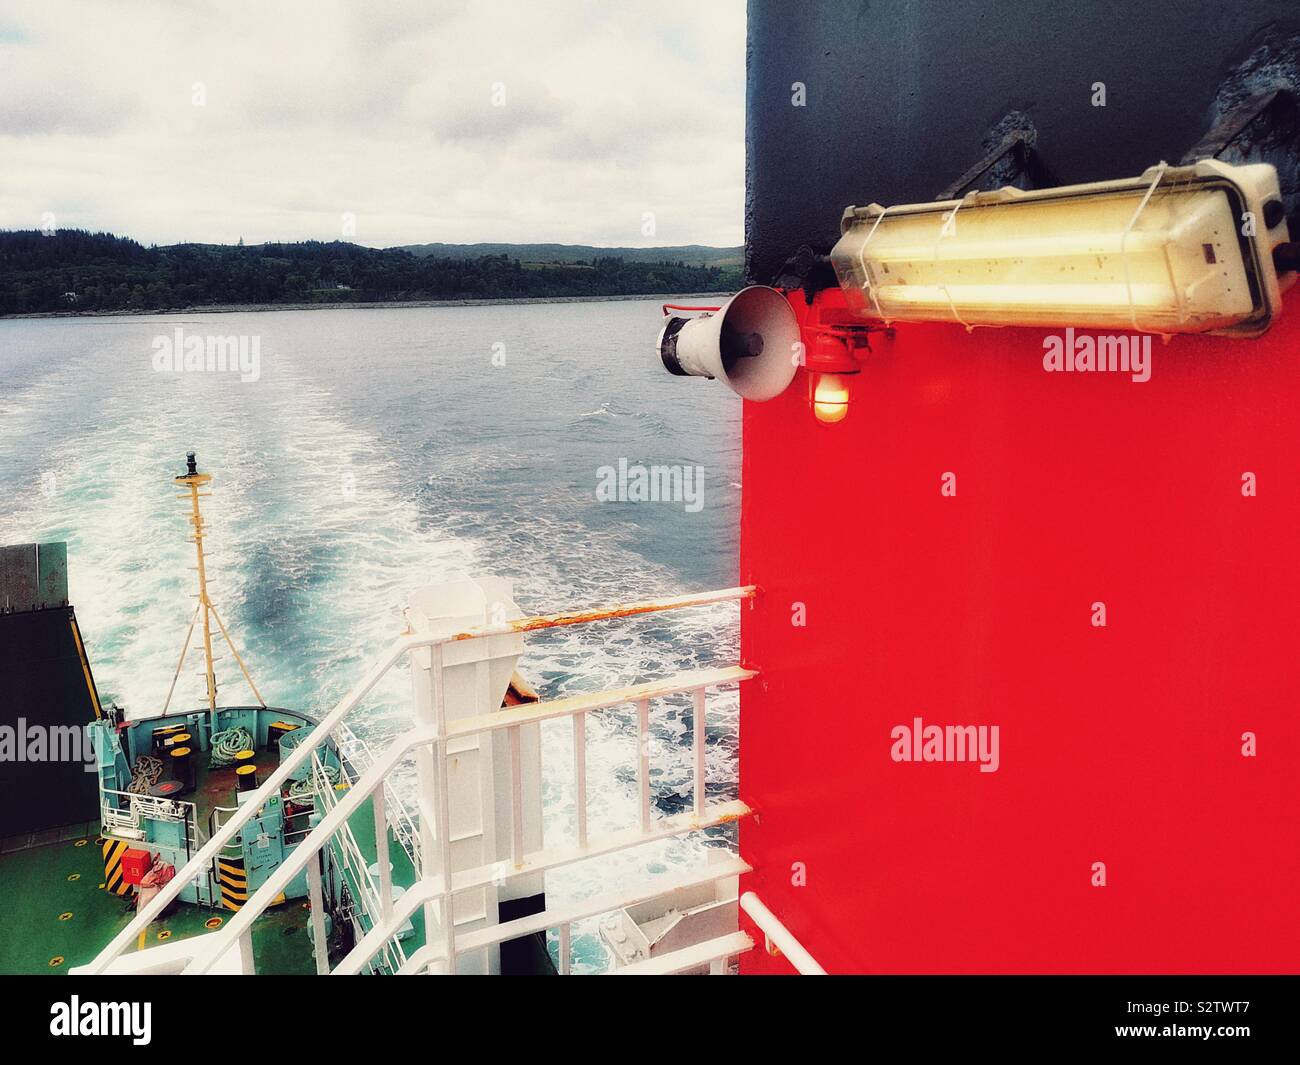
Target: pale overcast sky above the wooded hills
(190, 122)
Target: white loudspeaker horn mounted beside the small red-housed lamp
(749, 344)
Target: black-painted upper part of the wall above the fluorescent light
(904, 97)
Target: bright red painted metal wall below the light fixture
(1119, 744)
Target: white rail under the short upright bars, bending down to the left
(722, 813)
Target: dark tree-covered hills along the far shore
(80, 271)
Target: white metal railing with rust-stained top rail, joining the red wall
(430, 741)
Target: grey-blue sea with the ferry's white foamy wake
(328, 508)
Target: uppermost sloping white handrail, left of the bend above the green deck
(197, 865)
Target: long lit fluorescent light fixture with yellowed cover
(1177, 250)
